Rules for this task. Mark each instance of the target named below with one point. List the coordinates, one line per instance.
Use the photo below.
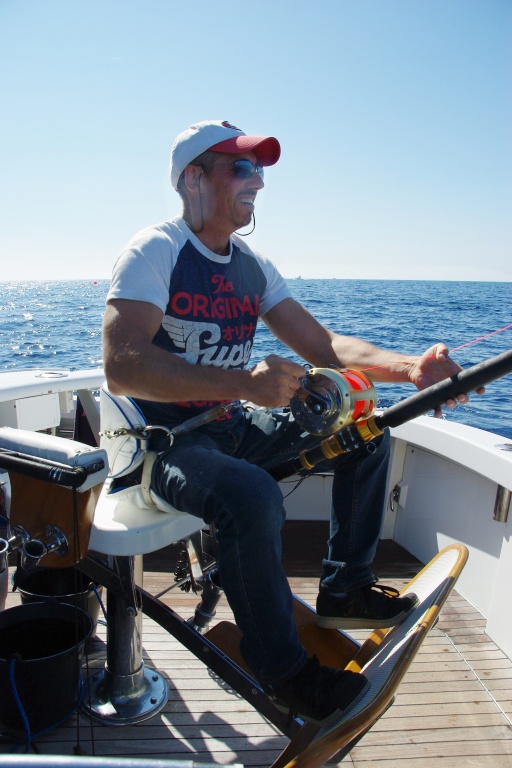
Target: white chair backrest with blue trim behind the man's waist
(118, 414)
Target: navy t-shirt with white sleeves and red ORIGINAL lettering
(211, 303)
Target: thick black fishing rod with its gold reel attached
(339, 406)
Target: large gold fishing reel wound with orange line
(330, 399)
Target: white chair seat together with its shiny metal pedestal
(123, 530)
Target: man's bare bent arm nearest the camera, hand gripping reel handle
(136, 367)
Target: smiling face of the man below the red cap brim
(228, 201)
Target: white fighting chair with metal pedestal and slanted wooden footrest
(128, 523)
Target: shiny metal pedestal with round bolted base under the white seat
(125, 691)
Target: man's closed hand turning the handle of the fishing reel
(274, 381)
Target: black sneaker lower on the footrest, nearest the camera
(319, 694)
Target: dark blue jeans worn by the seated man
(222, 479)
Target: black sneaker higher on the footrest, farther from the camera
(372, 606)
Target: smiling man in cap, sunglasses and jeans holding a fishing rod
(179, 326)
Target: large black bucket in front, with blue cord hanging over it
(41, 652)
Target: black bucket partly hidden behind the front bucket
(65, 585)
